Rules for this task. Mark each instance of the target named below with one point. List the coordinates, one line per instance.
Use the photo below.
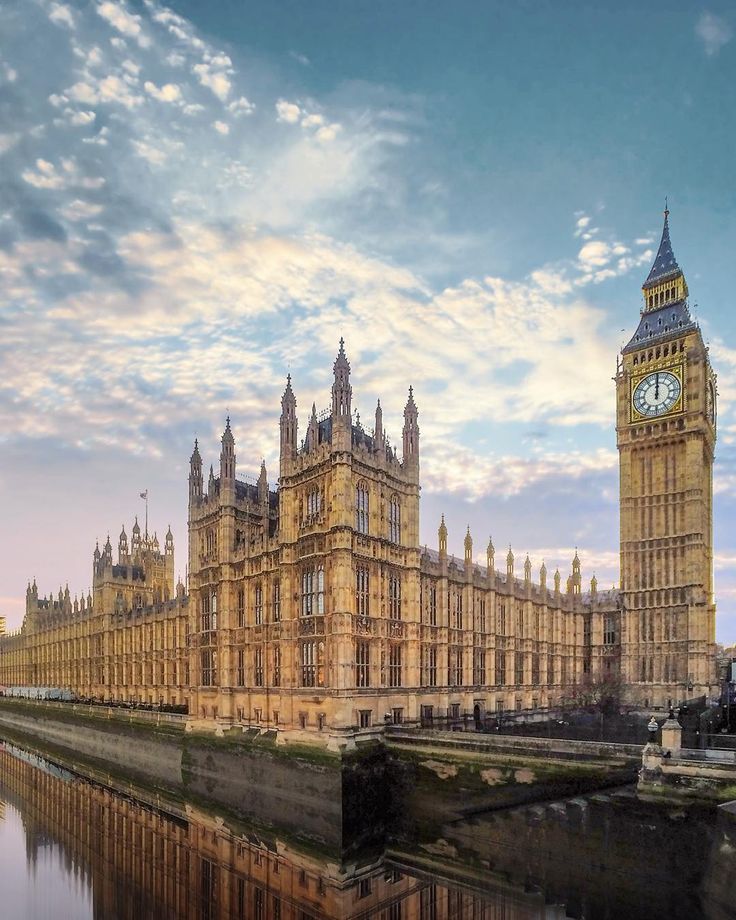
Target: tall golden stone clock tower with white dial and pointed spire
(666, 432)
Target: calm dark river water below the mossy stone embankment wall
(76, 845)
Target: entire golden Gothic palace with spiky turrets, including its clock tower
(313, 607)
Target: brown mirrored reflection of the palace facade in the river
(146, 859)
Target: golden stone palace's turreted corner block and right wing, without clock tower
(314, 608)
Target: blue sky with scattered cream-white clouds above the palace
(197, 199)
